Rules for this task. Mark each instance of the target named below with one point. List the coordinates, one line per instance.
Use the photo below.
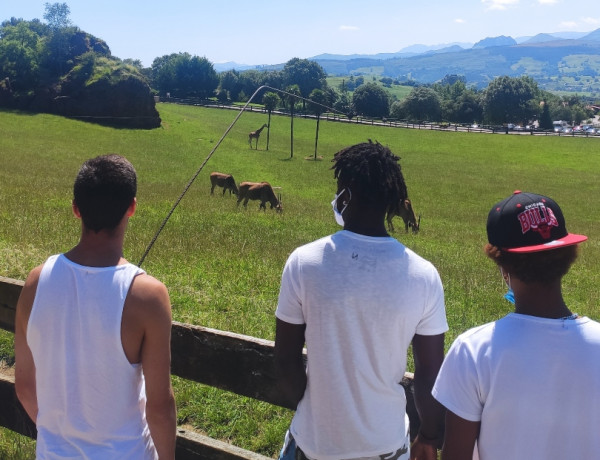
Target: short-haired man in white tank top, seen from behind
(92, 336)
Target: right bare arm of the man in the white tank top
(156, 363)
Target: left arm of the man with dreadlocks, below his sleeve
(289, 364)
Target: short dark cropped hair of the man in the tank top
(104, 188)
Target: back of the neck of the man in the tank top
(102, 249)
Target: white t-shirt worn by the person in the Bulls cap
(533, 383)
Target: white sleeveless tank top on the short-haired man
(91, 400)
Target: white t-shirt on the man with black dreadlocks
(362, 300)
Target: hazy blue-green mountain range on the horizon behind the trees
(566, 61)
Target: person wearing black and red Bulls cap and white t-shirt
(525, 386)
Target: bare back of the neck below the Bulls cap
(545, 301)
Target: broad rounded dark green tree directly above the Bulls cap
(508, 99)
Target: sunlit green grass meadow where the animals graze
(222, 264)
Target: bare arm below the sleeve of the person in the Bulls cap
(460, 438)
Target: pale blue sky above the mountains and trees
(274, 31)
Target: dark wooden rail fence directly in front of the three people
(225, 360)
